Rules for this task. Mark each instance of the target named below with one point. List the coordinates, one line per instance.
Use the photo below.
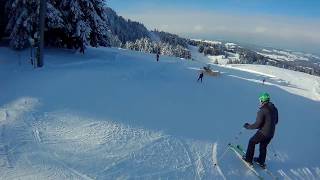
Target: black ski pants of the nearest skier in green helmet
(258, 138)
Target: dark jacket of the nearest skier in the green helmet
(267, 118)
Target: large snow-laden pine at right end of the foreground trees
(84, 21)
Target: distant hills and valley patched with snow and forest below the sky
(235, 54)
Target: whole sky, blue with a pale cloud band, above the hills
(292, 24)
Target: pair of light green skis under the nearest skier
(238, 150)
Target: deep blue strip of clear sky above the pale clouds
(303, 8)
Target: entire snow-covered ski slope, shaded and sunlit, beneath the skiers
(117, 114)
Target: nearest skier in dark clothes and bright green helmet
(267, 118)
